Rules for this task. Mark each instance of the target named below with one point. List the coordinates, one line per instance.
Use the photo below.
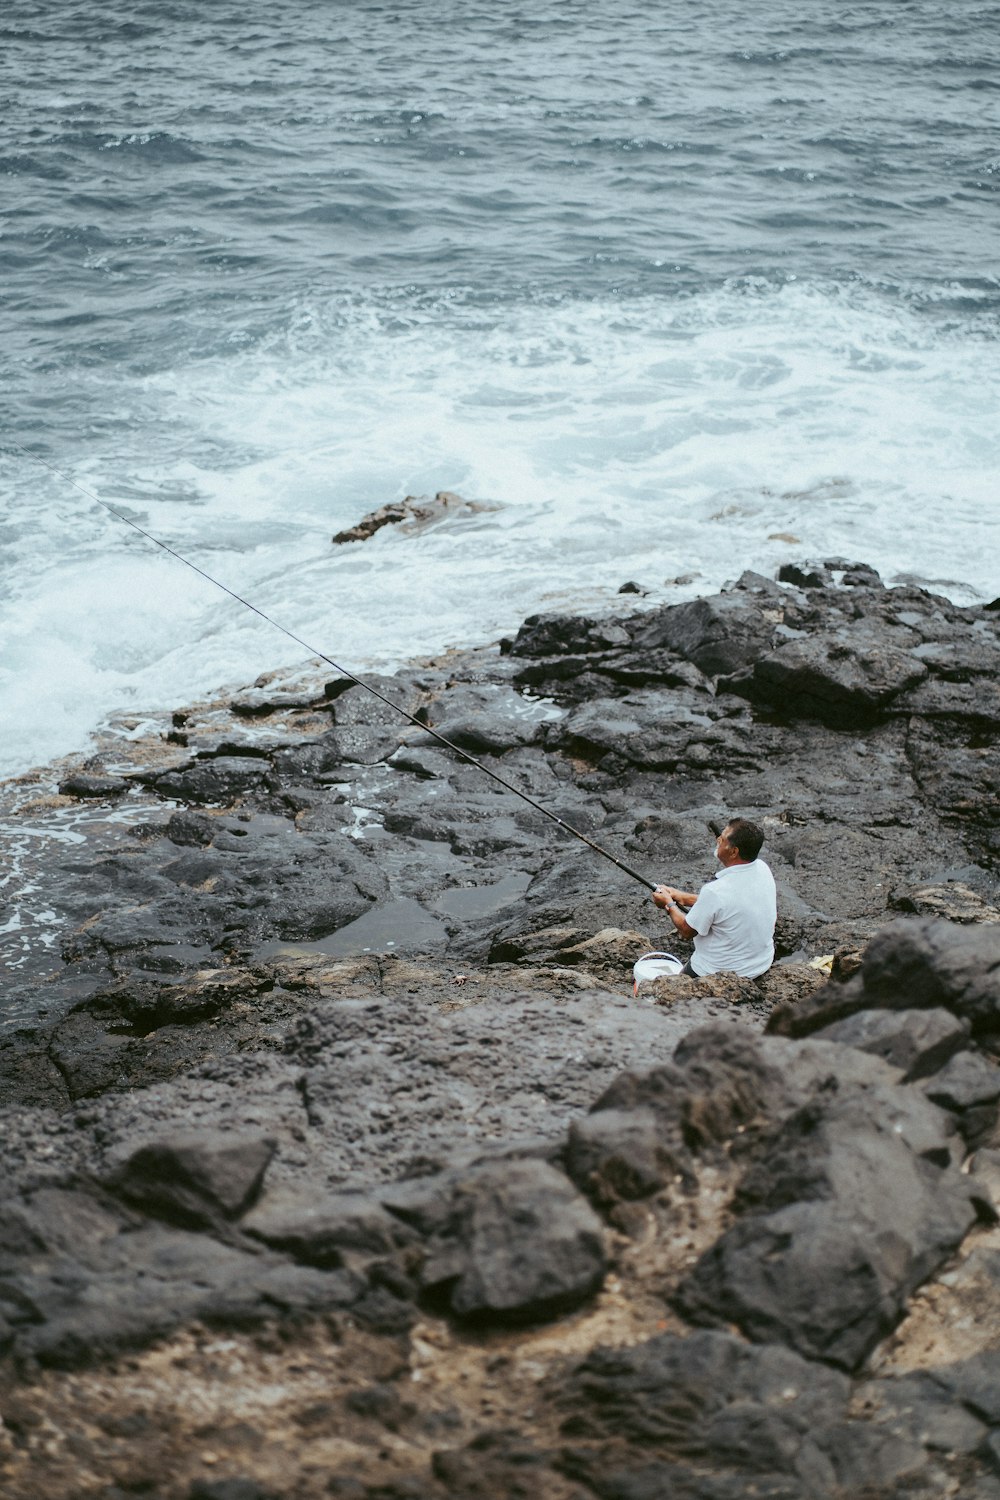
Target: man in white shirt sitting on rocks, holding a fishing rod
(732, 917)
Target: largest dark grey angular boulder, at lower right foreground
(842, 1223)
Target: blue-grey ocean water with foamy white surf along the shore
(677, 289)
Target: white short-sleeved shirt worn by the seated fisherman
(735, 917)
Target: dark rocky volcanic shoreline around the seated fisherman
(341, 1160)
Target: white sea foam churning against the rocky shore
(620, 440)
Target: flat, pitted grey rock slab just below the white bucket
(388, 1081)
